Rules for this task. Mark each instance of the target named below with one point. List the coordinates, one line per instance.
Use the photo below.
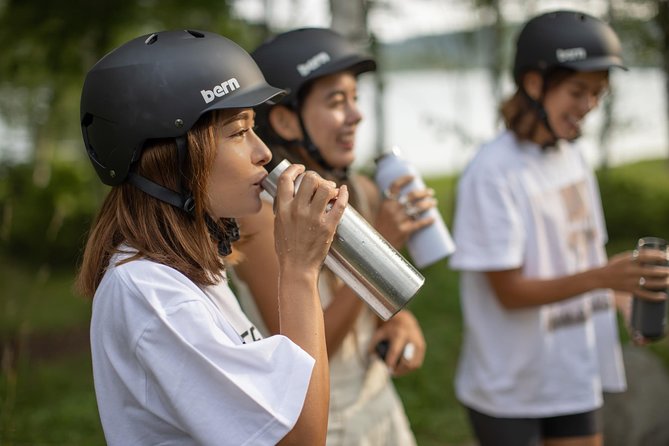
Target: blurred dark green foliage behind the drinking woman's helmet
(47, 202)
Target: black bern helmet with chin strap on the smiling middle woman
(295, 58)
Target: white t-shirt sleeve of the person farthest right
(488, 227)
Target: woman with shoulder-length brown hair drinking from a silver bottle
(167, 121)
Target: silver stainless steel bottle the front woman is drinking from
(364, 260)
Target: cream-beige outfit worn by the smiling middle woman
(364, 406)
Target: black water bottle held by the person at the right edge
(650, 318)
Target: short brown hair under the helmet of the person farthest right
(520, 115)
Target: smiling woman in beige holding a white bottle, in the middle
(315, 124)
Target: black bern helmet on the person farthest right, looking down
(566, 39)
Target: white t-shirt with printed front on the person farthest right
(521, 207)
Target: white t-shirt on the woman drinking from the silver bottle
(176, 365)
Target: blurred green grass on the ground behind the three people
(46, 389)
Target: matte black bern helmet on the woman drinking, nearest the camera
(158, 86)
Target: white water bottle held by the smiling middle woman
(431, 243)
